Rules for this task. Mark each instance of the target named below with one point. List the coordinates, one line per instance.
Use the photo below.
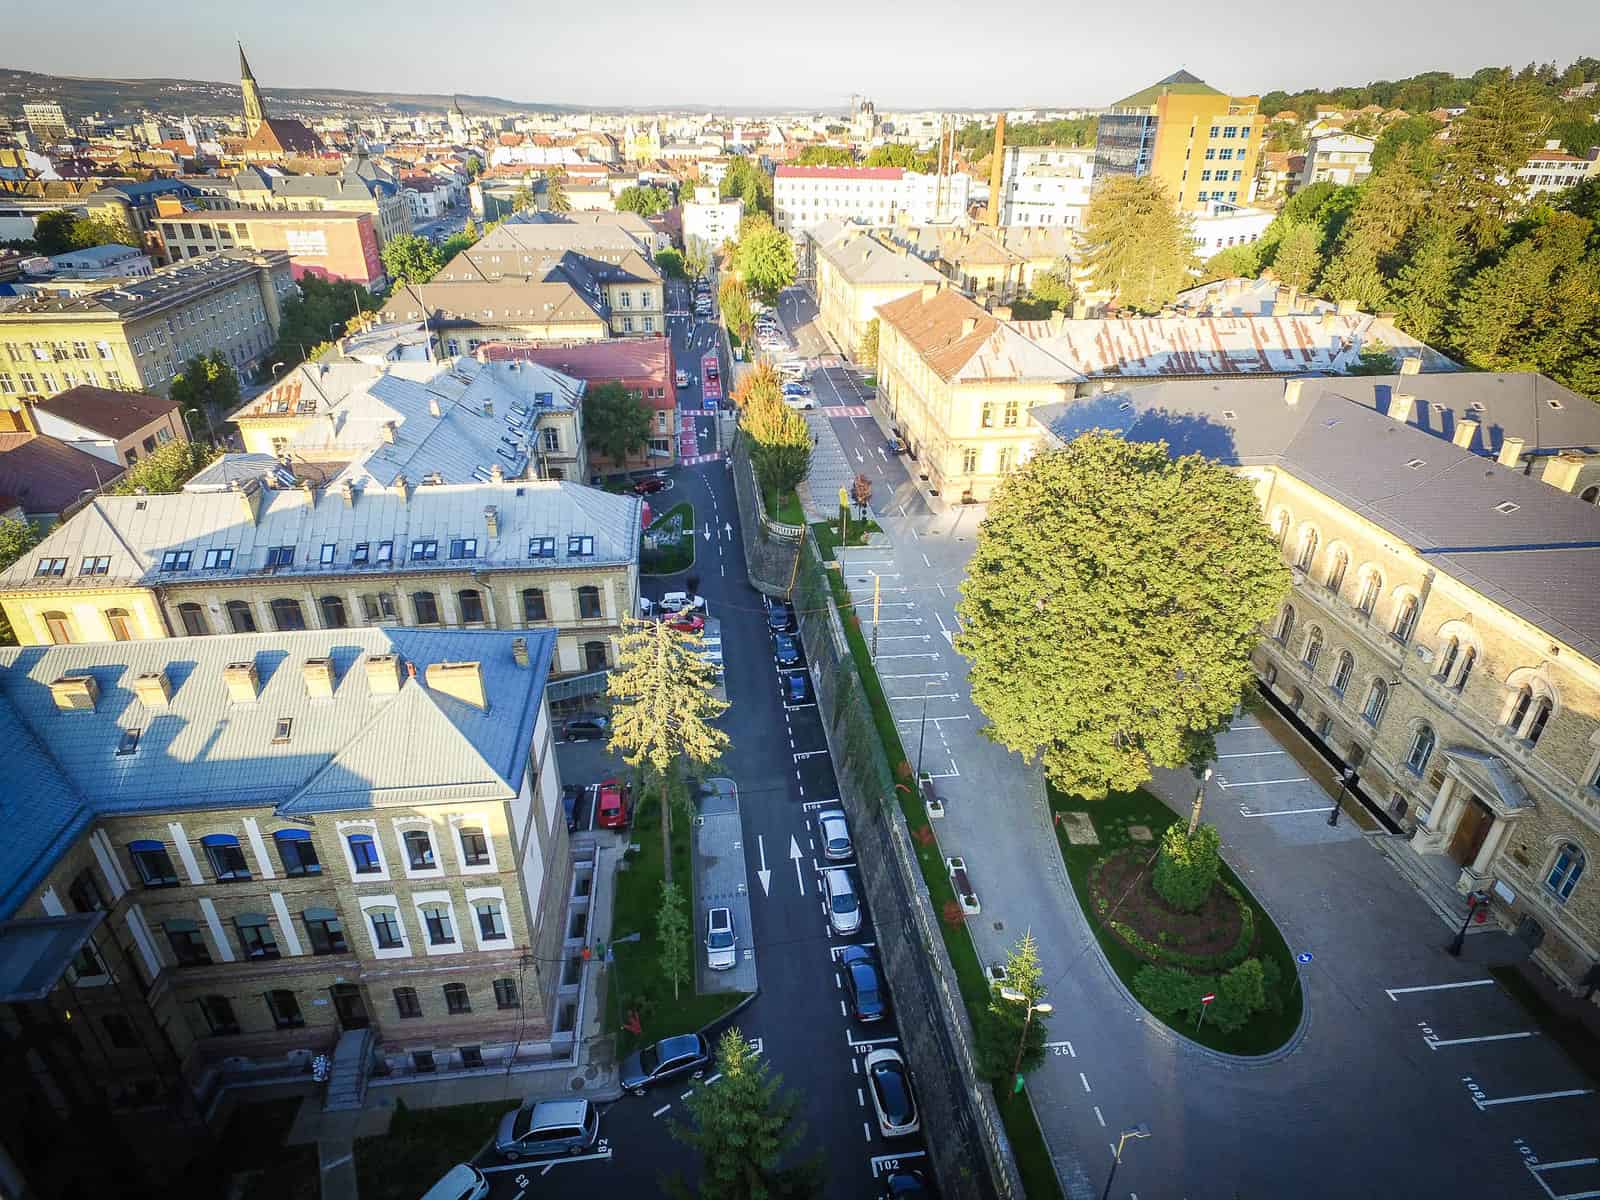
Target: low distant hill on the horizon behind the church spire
(209, 98)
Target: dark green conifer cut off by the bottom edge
(743, 1127)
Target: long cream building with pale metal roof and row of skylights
(271, 554)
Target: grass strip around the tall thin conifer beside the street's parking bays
(638, 983)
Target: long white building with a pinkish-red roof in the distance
(876, 196)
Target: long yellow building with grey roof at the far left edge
(140, 334)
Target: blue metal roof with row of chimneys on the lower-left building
(206, 751)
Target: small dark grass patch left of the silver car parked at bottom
(423, 1145)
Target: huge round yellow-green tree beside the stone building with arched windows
(1111, 609)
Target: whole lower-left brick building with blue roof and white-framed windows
(244, 852)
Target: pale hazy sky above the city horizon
(806, 55)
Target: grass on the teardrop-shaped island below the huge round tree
(1113, 818)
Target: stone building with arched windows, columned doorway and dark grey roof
(1444, 638)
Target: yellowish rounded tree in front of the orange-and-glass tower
(1138, 244)
